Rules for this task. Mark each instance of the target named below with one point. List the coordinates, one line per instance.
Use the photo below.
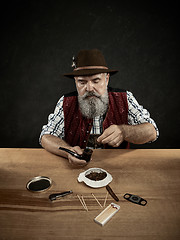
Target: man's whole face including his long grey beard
(92, 94)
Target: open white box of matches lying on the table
(107, 214)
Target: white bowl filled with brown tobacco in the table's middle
(95, 177)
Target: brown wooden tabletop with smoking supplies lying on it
(151, 174)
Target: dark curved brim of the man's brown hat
(87, 72)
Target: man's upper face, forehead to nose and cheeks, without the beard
(95, 83)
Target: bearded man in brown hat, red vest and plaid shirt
(95, 116)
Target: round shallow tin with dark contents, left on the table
(39, 184)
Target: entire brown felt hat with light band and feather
(89, 62)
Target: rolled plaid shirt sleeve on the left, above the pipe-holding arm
(55, 125)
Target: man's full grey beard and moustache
(93, 106)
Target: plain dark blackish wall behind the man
(39, 38)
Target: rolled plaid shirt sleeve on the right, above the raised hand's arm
(137, 114)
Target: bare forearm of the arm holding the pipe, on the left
(52, 143)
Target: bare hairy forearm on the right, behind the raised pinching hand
(139, 134)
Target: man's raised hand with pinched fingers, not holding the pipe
(112, 136)
